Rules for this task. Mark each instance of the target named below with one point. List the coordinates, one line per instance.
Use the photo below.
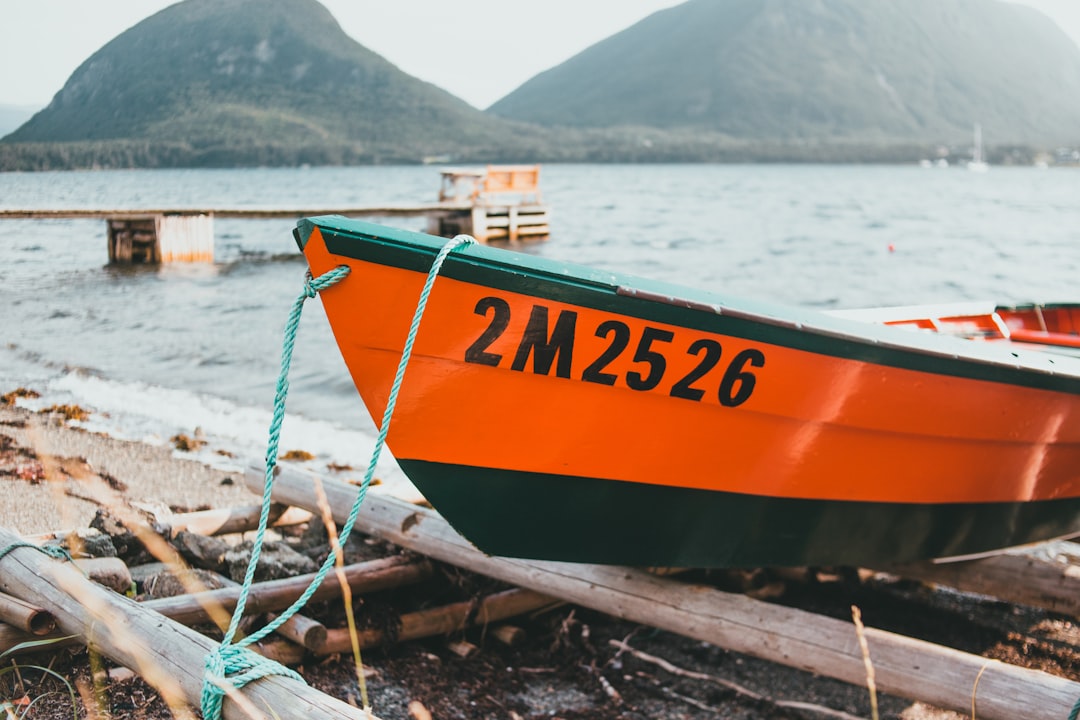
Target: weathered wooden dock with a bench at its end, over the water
(501, 203)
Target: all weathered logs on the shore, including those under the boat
(44, 593)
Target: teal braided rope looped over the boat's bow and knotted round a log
(234, 663)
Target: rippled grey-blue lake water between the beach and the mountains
(159, 351)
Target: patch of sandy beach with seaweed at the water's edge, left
(75, 459)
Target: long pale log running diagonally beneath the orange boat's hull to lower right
(903, 667)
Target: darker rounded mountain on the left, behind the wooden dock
(255, 81)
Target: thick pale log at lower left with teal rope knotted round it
(170, 657)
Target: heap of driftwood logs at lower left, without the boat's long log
(182, 607)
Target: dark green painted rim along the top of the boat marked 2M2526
(794, 328)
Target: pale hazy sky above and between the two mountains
(479, 50)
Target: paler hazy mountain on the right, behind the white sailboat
(848, 71)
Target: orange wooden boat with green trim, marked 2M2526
(560, 413)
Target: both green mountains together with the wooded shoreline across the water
(278, 83)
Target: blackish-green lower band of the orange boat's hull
(582, 520)
